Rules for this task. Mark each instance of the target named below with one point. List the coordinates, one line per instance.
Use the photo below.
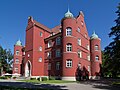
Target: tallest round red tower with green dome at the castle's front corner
(69, 47)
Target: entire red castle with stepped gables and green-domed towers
(65, 51)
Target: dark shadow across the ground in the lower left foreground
(29, 86)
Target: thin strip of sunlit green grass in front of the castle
(48, 81)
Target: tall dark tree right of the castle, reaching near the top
(112, 51)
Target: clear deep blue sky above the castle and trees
(99, 17)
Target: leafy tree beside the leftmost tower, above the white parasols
(5, 60)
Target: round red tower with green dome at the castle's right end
(96, 59)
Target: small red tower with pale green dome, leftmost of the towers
(17, 58)
